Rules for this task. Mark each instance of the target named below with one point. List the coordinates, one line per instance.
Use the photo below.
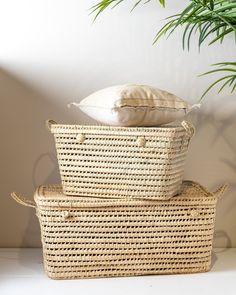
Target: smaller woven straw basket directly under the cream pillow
(106, 161)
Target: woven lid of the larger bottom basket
(192, 194)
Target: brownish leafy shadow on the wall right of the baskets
(212, 160)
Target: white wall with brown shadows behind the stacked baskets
(51, 54)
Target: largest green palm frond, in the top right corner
(217, 18)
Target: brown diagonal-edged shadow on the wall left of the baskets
(27, 156)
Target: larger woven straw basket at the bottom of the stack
(90, 237)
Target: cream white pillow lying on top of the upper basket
(133, 105)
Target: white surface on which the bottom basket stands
(21, 272)
